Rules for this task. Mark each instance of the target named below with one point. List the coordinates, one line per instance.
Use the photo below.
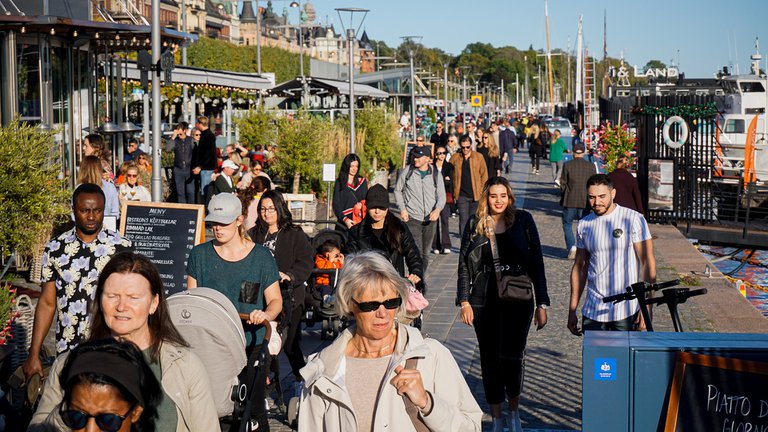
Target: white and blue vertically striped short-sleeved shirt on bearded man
(613, 264)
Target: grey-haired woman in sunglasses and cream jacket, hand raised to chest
(378, 371)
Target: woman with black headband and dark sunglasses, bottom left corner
(107, 384)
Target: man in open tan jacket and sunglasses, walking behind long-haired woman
(469, 175)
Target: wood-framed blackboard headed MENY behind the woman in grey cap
(165, 233)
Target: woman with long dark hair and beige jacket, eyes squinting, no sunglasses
(130, 306)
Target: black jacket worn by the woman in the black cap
(361, 239)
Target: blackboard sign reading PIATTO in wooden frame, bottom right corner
(711, 393)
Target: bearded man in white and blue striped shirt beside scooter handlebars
(614, 250)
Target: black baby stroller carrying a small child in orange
(318, 310)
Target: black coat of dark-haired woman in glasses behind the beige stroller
(294, 256)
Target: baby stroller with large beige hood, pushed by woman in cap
(209, 321)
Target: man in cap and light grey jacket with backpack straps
(420, 197)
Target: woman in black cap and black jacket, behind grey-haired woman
(382, 231)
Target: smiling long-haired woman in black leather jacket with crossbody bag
(501, 326)
